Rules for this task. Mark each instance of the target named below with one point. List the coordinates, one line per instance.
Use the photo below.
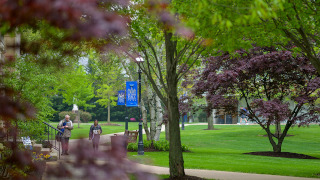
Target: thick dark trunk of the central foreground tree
(176, 163)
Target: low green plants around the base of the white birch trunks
(162, 145)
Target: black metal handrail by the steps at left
(51, 133)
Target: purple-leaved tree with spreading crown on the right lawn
(276, 86)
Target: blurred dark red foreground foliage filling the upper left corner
(82, 19)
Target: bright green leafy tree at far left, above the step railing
(35, 84)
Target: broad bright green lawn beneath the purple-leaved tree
(223, 150)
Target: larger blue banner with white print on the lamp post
(132, 93)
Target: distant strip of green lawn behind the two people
(83, 131)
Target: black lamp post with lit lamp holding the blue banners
(140, 143)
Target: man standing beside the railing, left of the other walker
(66, 126)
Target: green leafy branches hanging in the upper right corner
(296, 25)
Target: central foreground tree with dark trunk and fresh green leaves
(179, 55)
